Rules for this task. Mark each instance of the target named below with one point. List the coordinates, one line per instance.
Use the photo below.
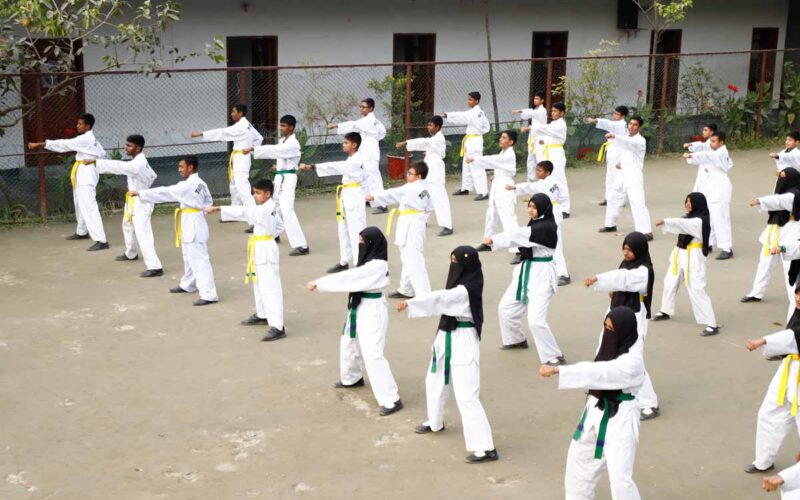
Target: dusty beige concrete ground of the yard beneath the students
(110, 387)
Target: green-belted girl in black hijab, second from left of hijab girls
(455, 359)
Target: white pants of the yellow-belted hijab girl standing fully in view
(696, 286)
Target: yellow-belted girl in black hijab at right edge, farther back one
(782, 229)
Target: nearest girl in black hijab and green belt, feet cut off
(608, 430)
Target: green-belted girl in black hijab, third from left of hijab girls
(533, 283)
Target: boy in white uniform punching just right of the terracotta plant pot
(435, 148)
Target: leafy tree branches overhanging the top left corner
(45, 36)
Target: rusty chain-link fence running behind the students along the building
(750, 95)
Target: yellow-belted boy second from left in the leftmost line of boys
(136, 228)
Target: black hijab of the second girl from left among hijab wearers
(466, 271)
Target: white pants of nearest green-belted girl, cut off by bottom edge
(619, 454)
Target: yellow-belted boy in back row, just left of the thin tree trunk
(471, 145)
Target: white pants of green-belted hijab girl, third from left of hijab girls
(541, 288)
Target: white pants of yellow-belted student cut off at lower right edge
(774, 422)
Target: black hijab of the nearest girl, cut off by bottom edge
(613, 345)
